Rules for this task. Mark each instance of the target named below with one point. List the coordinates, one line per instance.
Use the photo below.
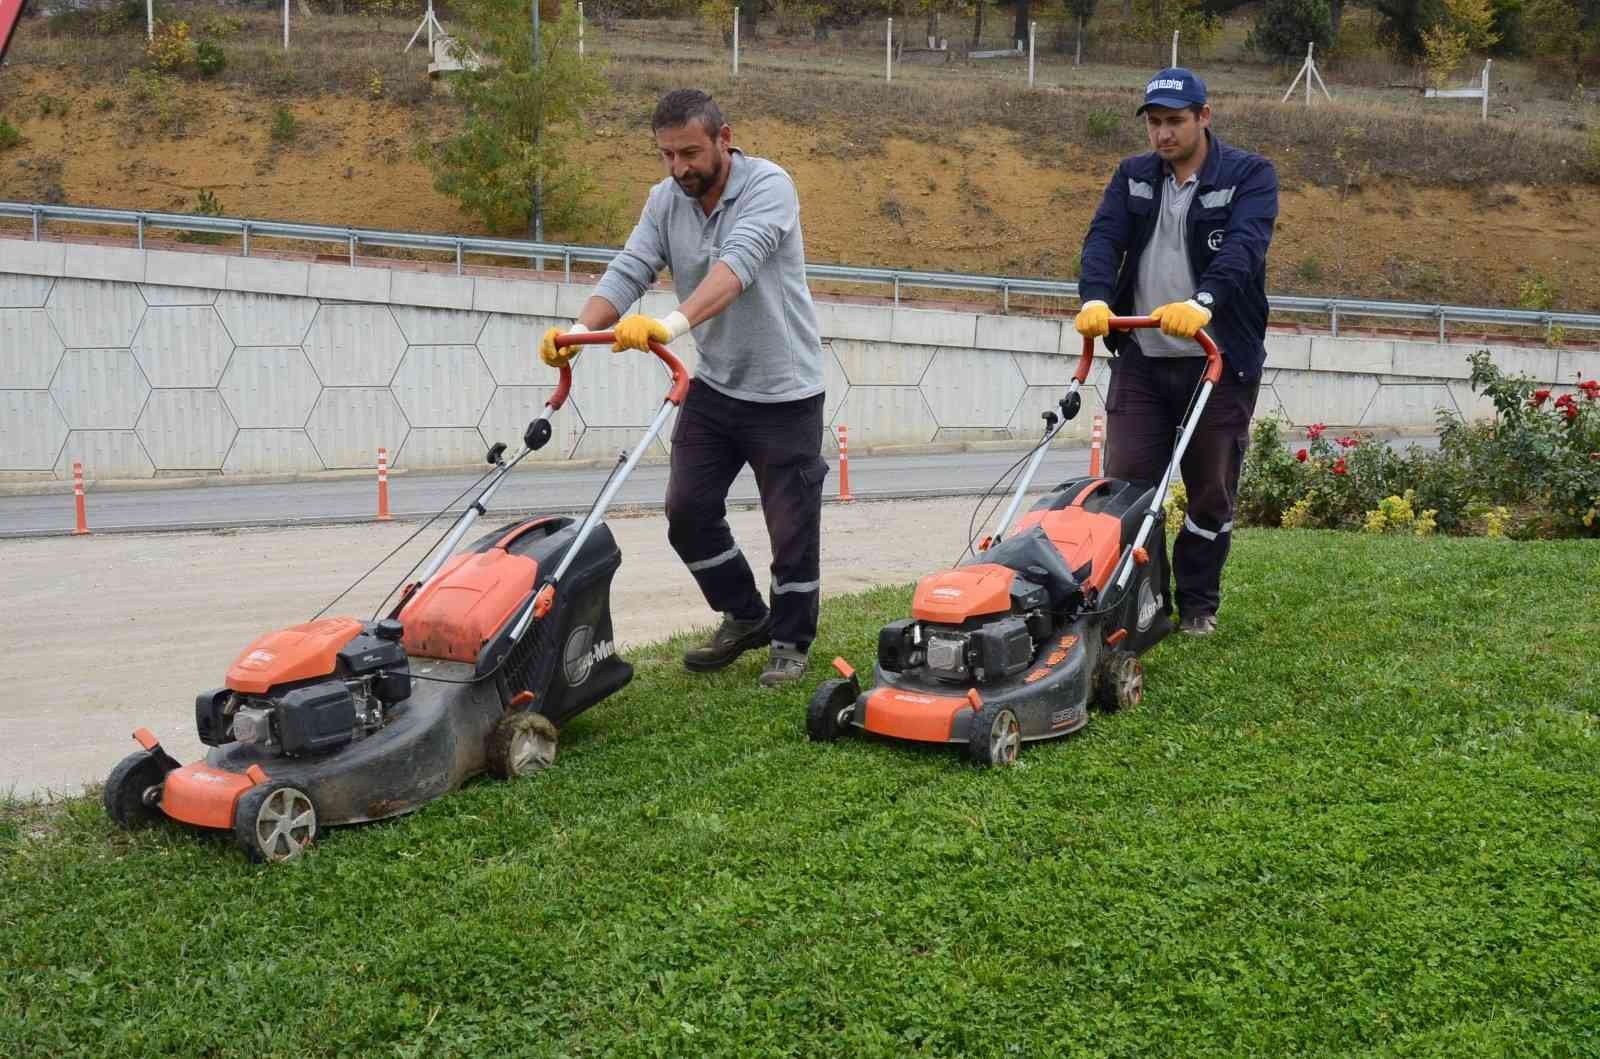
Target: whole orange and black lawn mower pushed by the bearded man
(484, 658)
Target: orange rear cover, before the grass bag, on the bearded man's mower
(466, 604)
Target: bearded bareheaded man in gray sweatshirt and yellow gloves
(729, 228)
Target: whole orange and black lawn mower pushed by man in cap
(1015, 642)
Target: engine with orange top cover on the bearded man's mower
(313, 713)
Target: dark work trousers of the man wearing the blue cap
(1145, 409)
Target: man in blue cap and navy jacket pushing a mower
(1182, 234)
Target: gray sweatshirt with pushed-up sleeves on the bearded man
(762, 348)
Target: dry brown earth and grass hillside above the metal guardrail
(956, 169)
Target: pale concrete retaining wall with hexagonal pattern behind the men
(151, 362)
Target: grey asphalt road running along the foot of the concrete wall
(538, 490)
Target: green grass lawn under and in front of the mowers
(1362, 820)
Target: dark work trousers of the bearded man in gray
(714, 439)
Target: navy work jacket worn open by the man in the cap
(1230, 228)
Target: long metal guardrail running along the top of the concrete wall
(897, 279)
